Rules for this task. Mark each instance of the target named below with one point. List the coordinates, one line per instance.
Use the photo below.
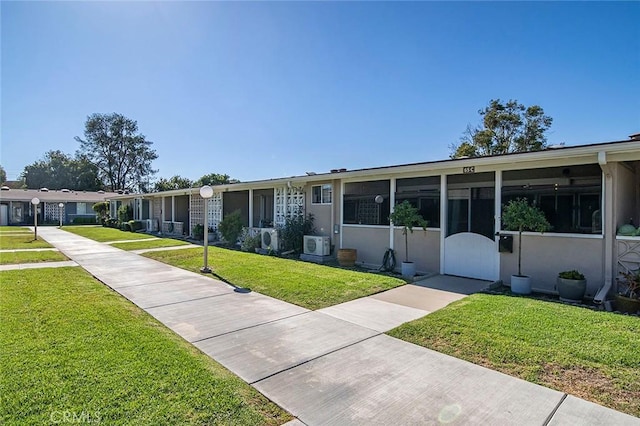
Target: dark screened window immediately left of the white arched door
(423, 193)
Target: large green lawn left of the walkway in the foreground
(70, 345)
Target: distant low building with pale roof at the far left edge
(16, 207)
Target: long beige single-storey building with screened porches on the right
(586, 193)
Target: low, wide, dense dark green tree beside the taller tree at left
(58, 170)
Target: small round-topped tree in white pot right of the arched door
(519, 215)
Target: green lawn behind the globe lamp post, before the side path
(305, 284)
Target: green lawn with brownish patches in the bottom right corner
(590, 354)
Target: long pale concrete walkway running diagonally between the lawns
(320, 367)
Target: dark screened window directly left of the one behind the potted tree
(360, 206)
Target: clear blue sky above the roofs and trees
(260, 90)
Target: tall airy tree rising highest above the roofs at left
(122, 155)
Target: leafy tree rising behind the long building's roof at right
(506, 127)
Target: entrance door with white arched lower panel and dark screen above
(469, 247)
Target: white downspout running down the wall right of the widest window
(608, 227)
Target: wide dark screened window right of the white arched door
(570, 197)
